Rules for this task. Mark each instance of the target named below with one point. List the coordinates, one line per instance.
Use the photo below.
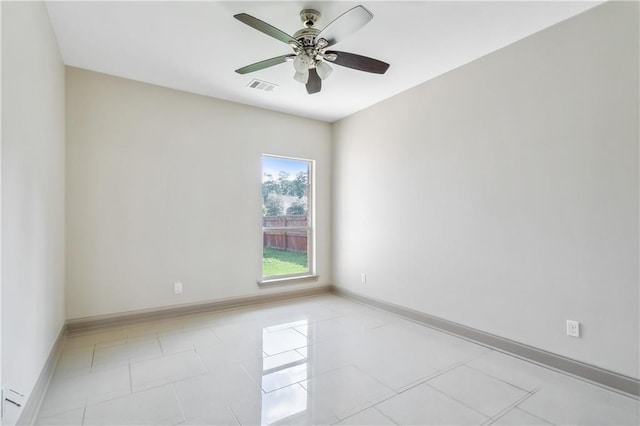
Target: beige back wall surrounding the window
(164, 186)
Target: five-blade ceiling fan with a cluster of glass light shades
(311, 57)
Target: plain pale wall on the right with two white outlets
(504, 195)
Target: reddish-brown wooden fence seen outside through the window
(295, 241)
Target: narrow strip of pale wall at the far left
(33, 160)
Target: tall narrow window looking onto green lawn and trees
(287, 217)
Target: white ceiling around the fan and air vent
(196, 46)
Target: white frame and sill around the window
(310, 228)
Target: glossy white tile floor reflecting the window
(317, 360)
